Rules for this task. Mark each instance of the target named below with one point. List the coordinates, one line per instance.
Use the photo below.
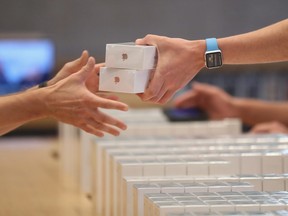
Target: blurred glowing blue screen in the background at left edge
(25, 62)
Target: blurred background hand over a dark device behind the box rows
(211, 99)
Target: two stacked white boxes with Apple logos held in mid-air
(128, 68)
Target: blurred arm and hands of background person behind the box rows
(262, 116)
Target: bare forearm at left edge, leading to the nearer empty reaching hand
(20, 108)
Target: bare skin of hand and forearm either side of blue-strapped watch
(179, 60)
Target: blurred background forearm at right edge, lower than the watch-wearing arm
(256, 111)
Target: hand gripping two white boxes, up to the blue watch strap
(179, 61)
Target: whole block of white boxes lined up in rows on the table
(221, 168)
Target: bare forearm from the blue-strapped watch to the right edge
(269, 44)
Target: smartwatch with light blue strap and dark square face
(213, 55)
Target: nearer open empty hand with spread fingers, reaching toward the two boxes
(70, 101)
